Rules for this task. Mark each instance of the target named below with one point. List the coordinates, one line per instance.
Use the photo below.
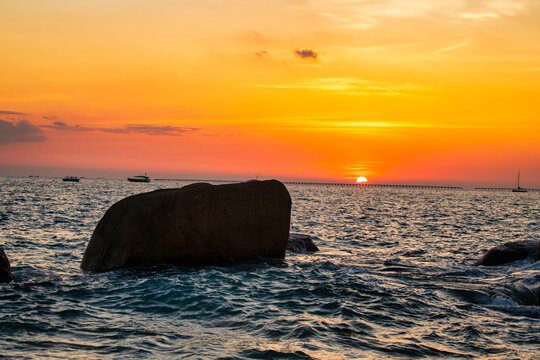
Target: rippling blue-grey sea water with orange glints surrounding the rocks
(392, 280)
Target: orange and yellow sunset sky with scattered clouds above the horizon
(412, 91)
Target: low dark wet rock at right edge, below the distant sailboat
(508, 252)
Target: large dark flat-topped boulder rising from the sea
(197, 225)
